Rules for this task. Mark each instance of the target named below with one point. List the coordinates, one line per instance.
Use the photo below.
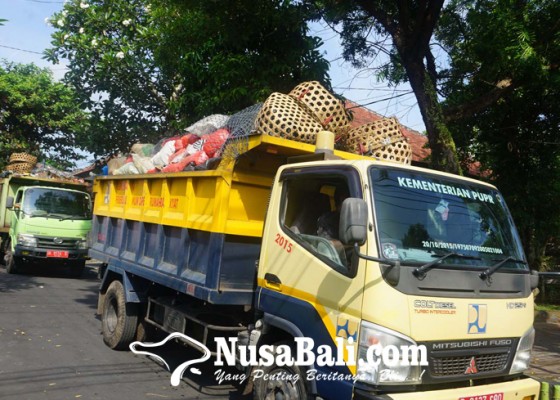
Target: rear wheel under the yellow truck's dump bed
(119, 318)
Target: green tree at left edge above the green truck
(37, 114)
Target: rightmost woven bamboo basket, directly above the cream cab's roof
(381, 139)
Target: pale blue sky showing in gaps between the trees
(26, 35)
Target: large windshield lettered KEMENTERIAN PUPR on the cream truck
(422, 217)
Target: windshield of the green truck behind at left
(56, 203)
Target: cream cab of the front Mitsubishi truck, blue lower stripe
(430, 262)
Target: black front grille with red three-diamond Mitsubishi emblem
(447, 366)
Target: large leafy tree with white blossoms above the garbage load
(144, 68)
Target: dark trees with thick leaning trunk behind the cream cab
(486, 75)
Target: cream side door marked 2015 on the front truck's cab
(309, 282)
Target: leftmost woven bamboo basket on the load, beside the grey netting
(282, 116)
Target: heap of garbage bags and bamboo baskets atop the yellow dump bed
(299, 115)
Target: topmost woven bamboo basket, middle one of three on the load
(322, 104)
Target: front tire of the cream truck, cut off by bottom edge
(282, 388)
